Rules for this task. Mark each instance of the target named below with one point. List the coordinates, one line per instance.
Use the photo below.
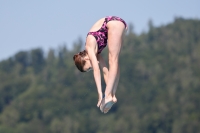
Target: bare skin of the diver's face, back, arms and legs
(94, 60)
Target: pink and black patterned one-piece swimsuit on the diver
(101, 35)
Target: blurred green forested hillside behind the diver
(159, 89)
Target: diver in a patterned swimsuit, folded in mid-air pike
(106, 31)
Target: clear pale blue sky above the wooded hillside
(30, 24)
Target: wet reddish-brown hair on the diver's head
(79, 61)
